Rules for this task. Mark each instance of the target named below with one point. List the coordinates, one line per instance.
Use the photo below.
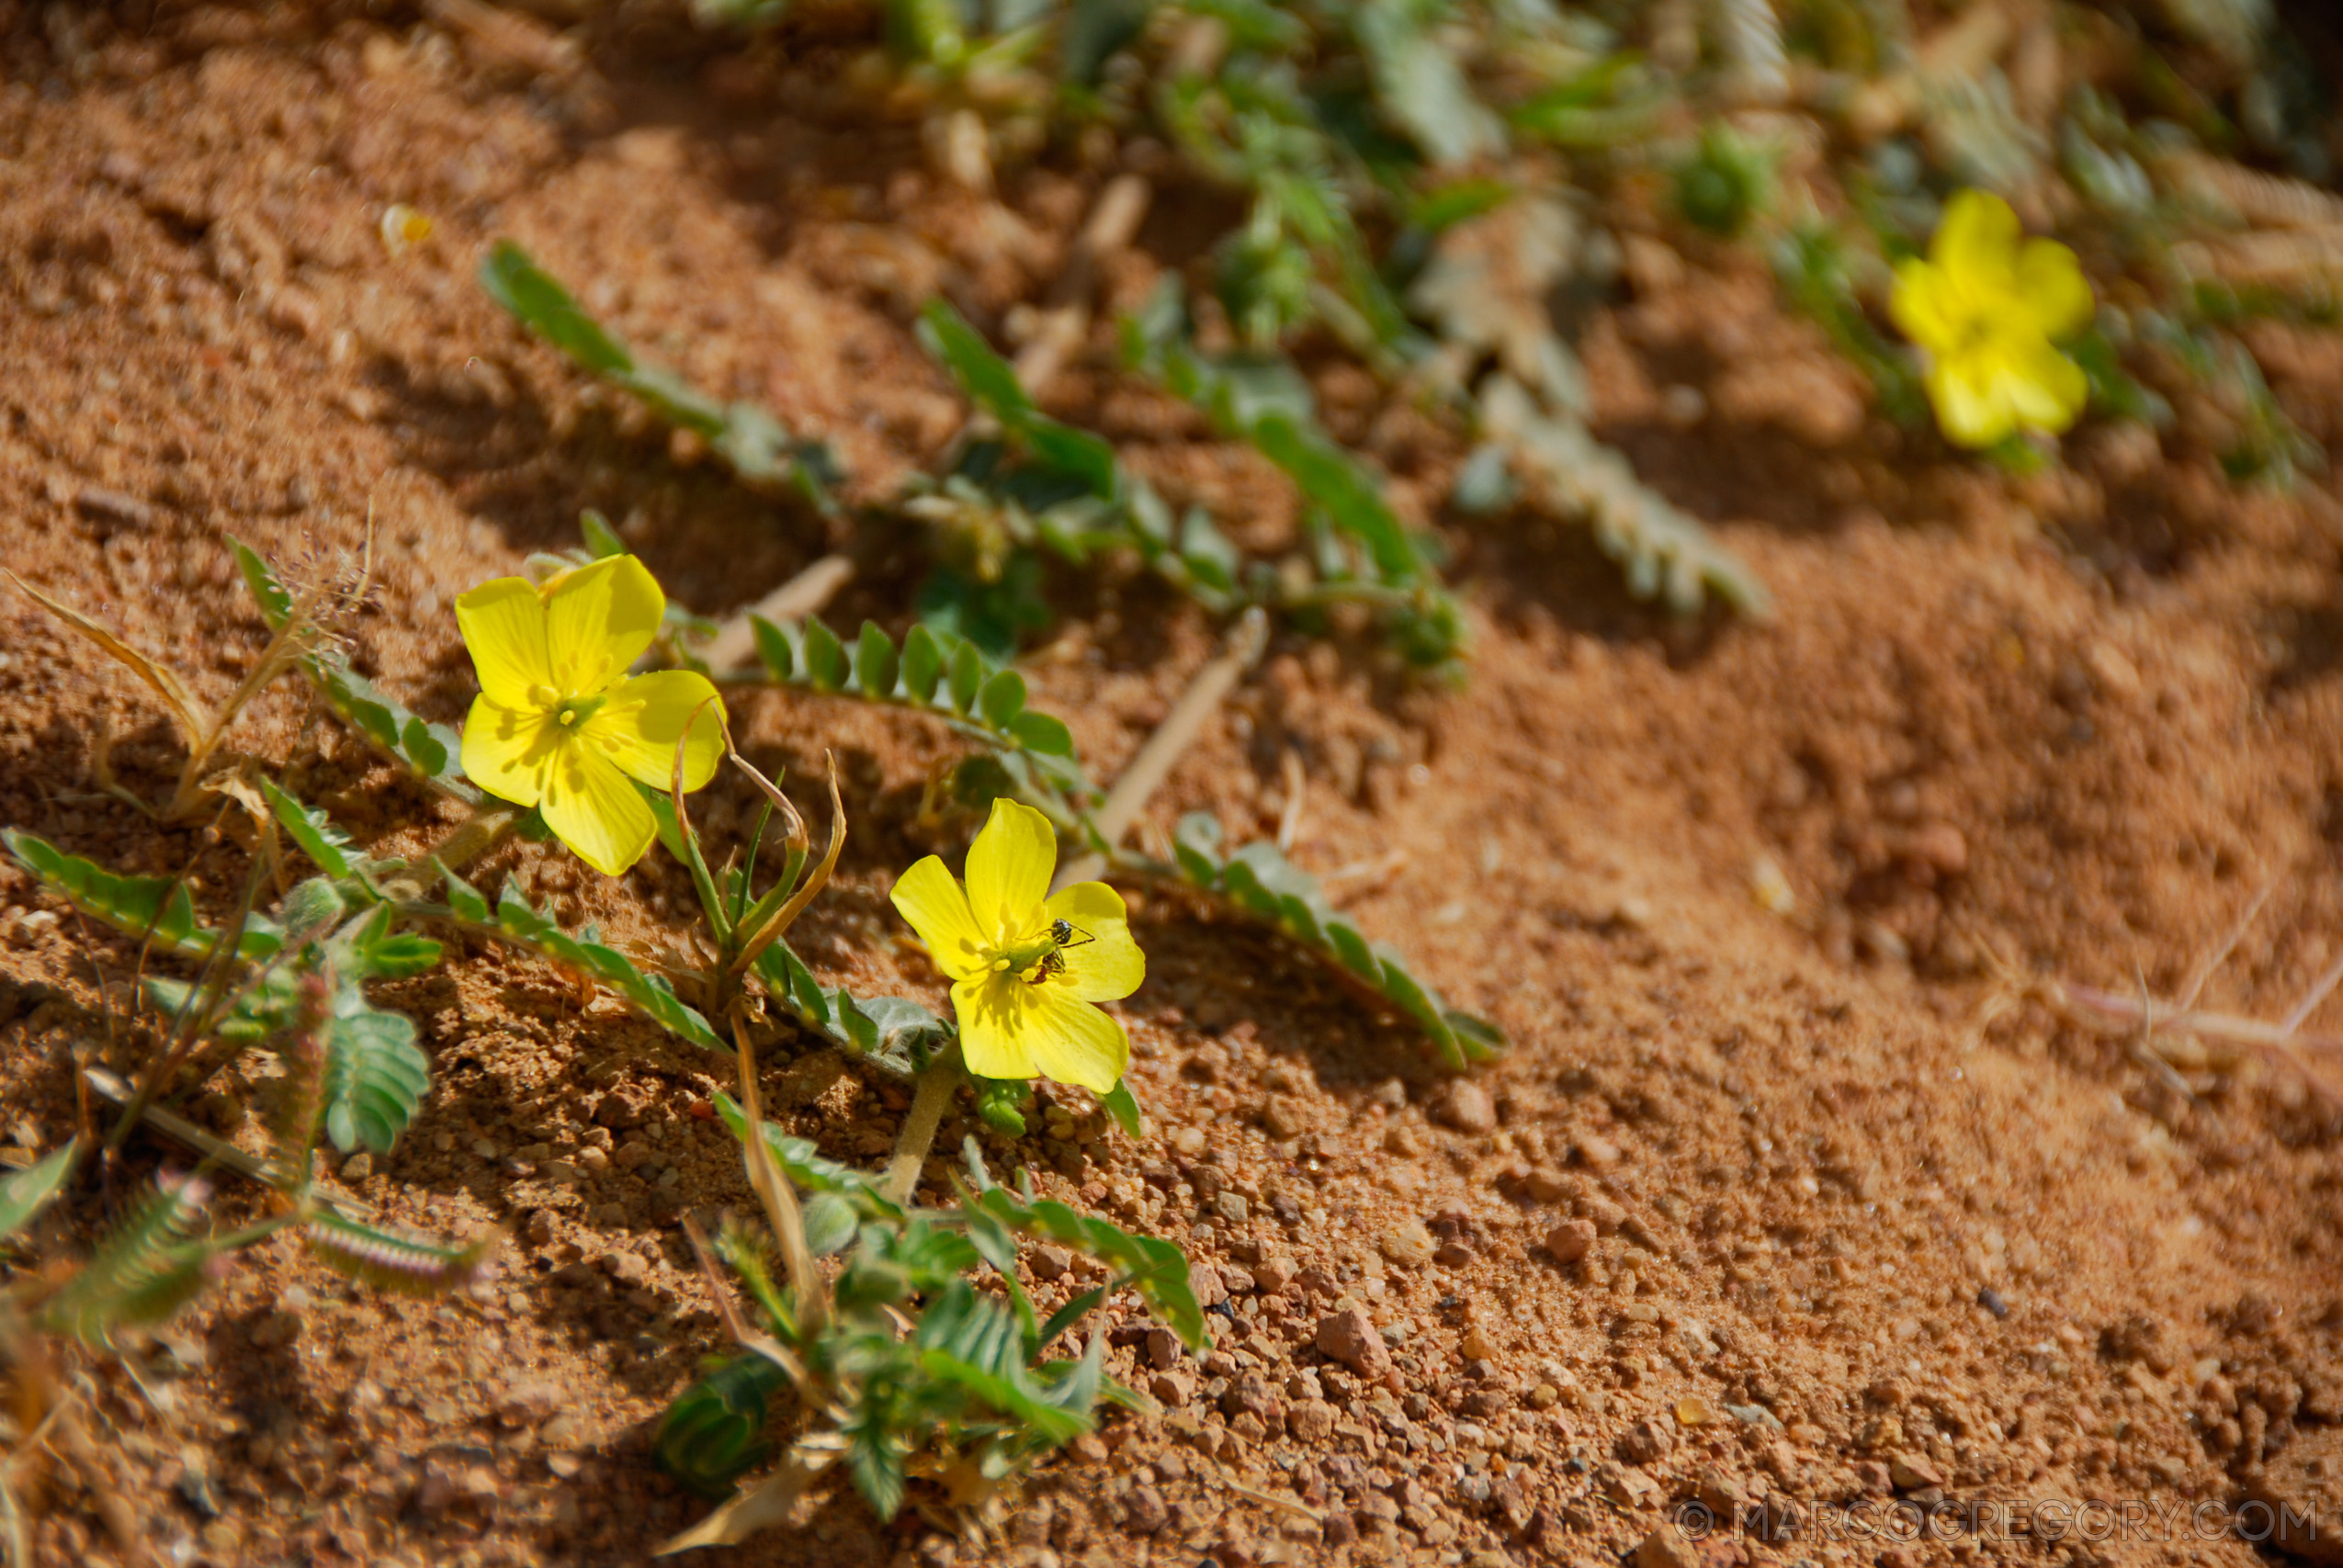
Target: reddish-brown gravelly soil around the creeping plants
(1796, 1192)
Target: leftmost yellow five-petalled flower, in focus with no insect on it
(561, 725)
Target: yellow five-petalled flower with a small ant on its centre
(1027, 967)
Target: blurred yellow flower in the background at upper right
(1988, 313)
